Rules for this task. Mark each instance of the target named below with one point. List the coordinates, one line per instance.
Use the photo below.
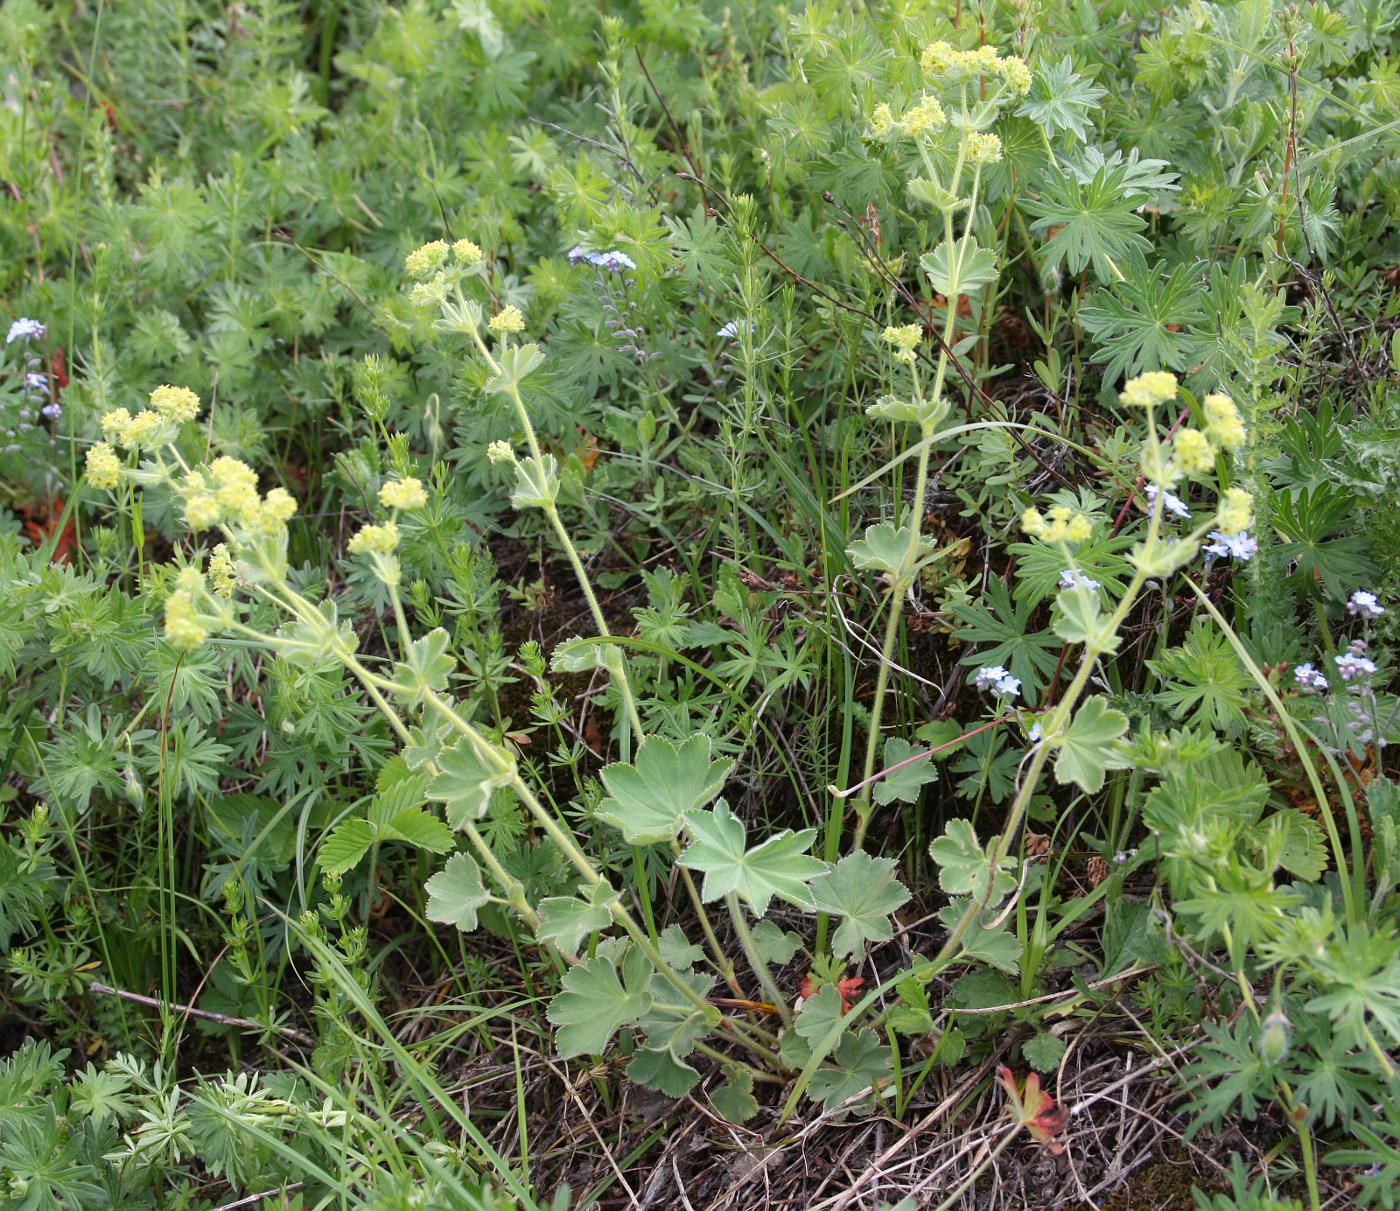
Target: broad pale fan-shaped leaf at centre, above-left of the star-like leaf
(650, 799)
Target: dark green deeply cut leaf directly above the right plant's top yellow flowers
(1143, 323)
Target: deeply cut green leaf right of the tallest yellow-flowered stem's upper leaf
(1093, 222)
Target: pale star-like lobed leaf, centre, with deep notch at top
(778, 867)
